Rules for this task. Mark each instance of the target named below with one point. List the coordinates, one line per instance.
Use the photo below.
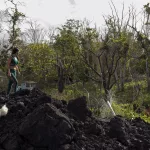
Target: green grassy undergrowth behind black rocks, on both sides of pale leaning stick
(125, 103)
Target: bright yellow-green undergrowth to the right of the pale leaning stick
(130, 105)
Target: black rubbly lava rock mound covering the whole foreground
(35, 121)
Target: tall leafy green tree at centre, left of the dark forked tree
(67, 47)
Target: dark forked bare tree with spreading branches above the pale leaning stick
(107, 58)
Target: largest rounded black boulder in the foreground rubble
(46, 126)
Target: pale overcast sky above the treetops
(55, 12)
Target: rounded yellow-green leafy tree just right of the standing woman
(39, 61)
